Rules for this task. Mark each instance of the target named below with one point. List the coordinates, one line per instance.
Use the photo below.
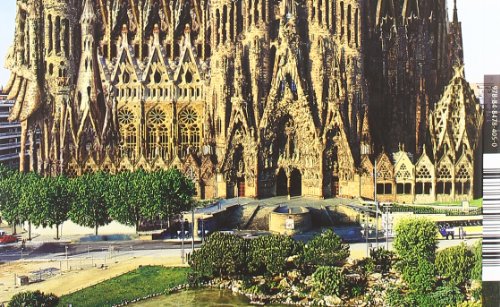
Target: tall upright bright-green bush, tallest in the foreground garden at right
(415, 244)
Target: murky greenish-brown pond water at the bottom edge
(196, 298)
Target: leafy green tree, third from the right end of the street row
(89, 207)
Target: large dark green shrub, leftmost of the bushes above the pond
(222, 255)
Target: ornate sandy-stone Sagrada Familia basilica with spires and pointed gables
(255, 98)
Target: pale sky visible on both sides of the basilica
(480, 24)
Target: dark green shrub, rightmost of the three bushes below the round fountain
(325, 249)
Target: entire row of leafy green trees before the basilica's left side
(94, 199)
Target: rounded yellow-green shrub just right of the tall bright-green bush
(455, 264)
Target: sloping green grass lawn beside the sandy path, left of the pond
(137, 283)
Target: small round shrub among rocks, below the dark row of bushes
(328, 280)
